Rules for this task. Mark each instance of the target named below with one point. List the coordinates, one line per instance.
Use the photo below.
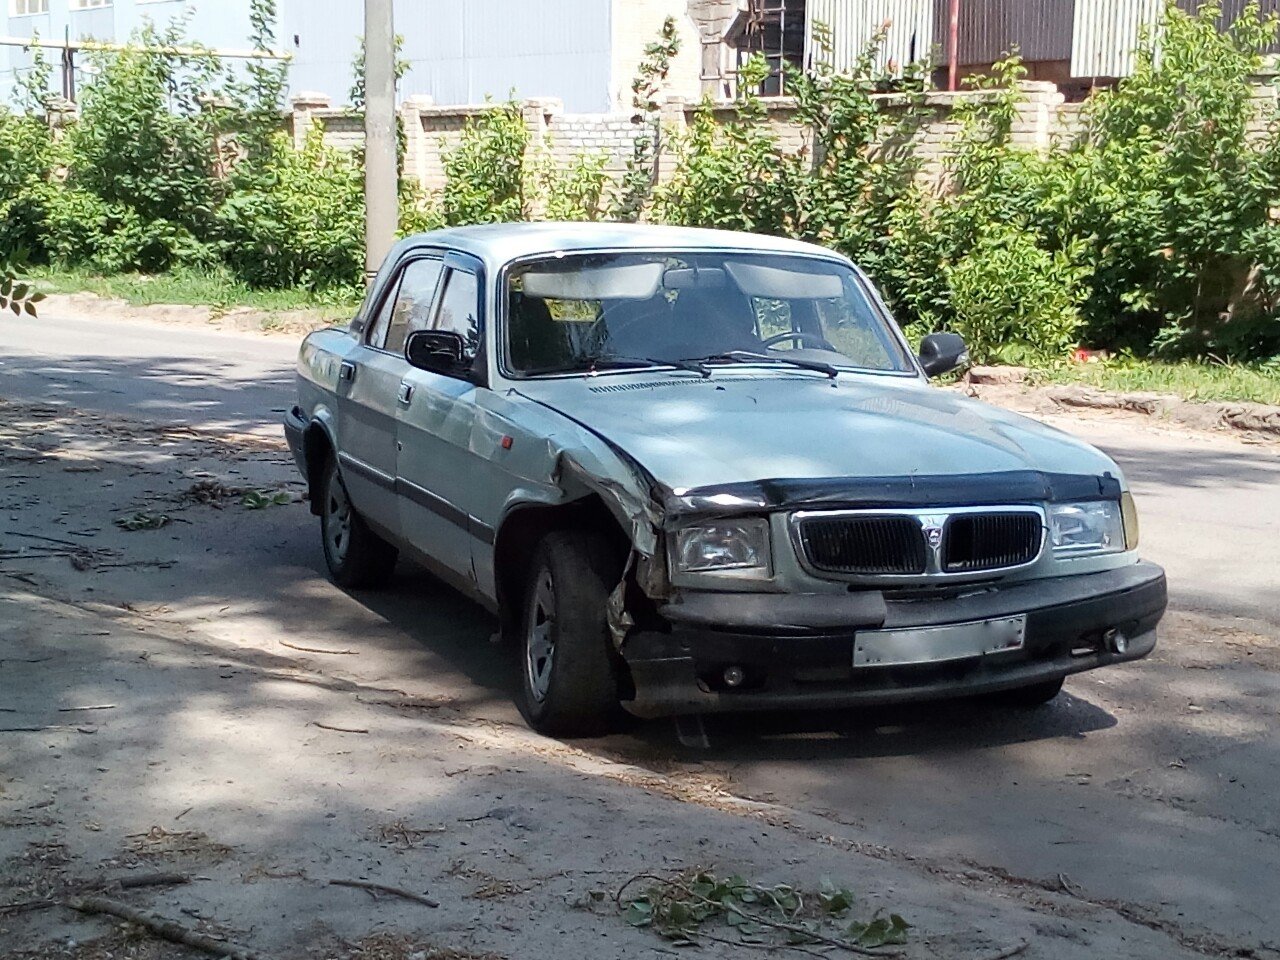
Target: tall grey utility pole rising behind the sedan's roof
(382, 172)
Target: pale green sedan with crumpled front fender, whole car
(701, 472)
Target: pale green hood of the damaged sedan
(740, 427)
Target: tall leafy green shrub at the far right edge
(1173, 195)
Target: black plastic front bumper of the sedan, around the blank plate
(798, 652)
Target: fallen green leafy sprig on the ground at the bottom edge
(693, 906)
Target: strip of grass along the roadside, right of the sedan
(1258, 383)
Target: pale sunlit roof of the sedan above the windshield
(500, 244)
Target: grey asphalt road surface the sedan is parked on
(1150, 788)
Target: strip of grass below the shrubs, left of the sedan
(214, 289)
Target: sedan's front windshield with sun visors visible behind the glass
(609, 312)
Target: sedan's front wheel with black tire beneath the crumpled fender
(573, 689)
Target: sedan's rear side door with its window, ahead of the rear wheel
(369, 382)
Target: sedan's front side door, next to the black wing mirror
(438, 474)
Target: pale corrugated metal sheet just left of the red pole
(854, 22)
